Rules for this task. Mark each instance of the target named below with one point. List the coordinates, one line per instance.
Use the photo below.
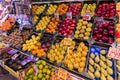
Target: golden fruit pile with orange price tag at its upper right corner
(58, 50)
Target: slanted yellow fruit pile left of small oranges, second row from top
(42, 24)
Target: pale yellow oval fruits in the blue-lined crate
(100, 66)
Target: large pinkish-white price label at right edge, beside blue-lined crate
(114, 53)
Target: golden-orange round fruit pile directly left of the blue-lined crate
(77, 60)
